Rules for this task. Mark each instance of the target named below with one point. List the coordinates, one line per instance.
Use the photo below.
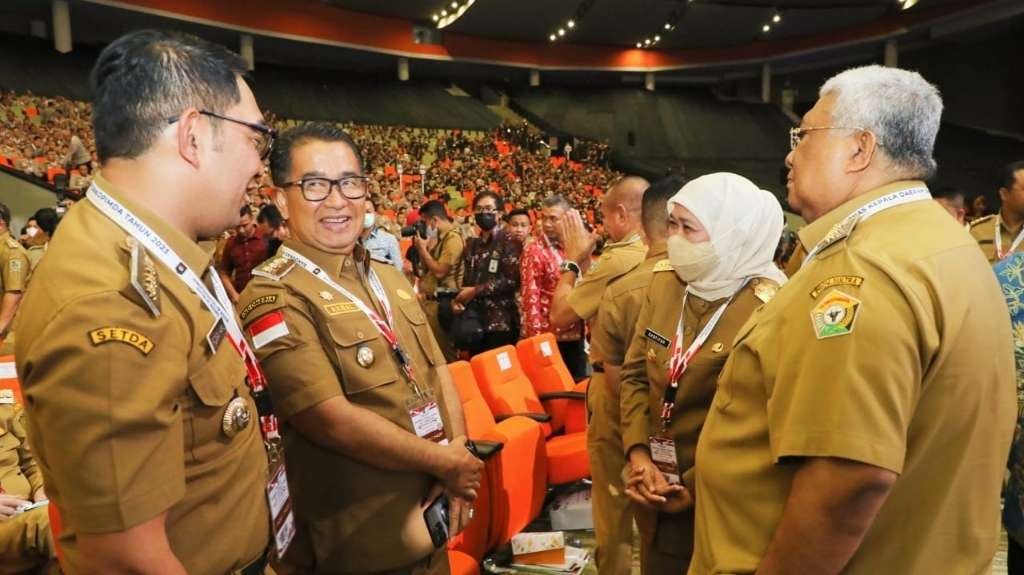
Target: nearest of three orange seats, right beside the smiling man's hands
(517, 476)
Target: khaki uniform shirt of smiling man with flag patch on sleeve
(353, 517)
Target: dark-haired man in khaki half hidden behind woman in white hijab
(612, 334)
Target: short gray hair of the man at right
(900, 107)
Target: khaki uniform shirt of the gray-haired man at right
(890, 348)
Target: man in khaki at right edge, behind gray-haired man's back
(1010, 220)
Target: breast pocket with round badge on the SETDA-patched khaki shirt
(214, 385)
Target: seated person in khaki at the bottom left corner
(25, 537)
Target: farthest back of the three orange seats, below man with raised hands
(564, 400)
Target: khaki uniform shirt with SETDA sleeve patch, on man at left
(125, 406)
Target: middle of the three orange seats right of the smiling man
(508, 392)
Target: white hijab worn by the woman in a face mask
(745, 224)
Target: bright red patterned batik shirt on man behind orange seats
(539, 268)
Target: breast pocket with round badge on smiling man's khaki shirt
(365, 359)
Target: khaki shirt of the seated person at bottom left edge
(19, 474)
